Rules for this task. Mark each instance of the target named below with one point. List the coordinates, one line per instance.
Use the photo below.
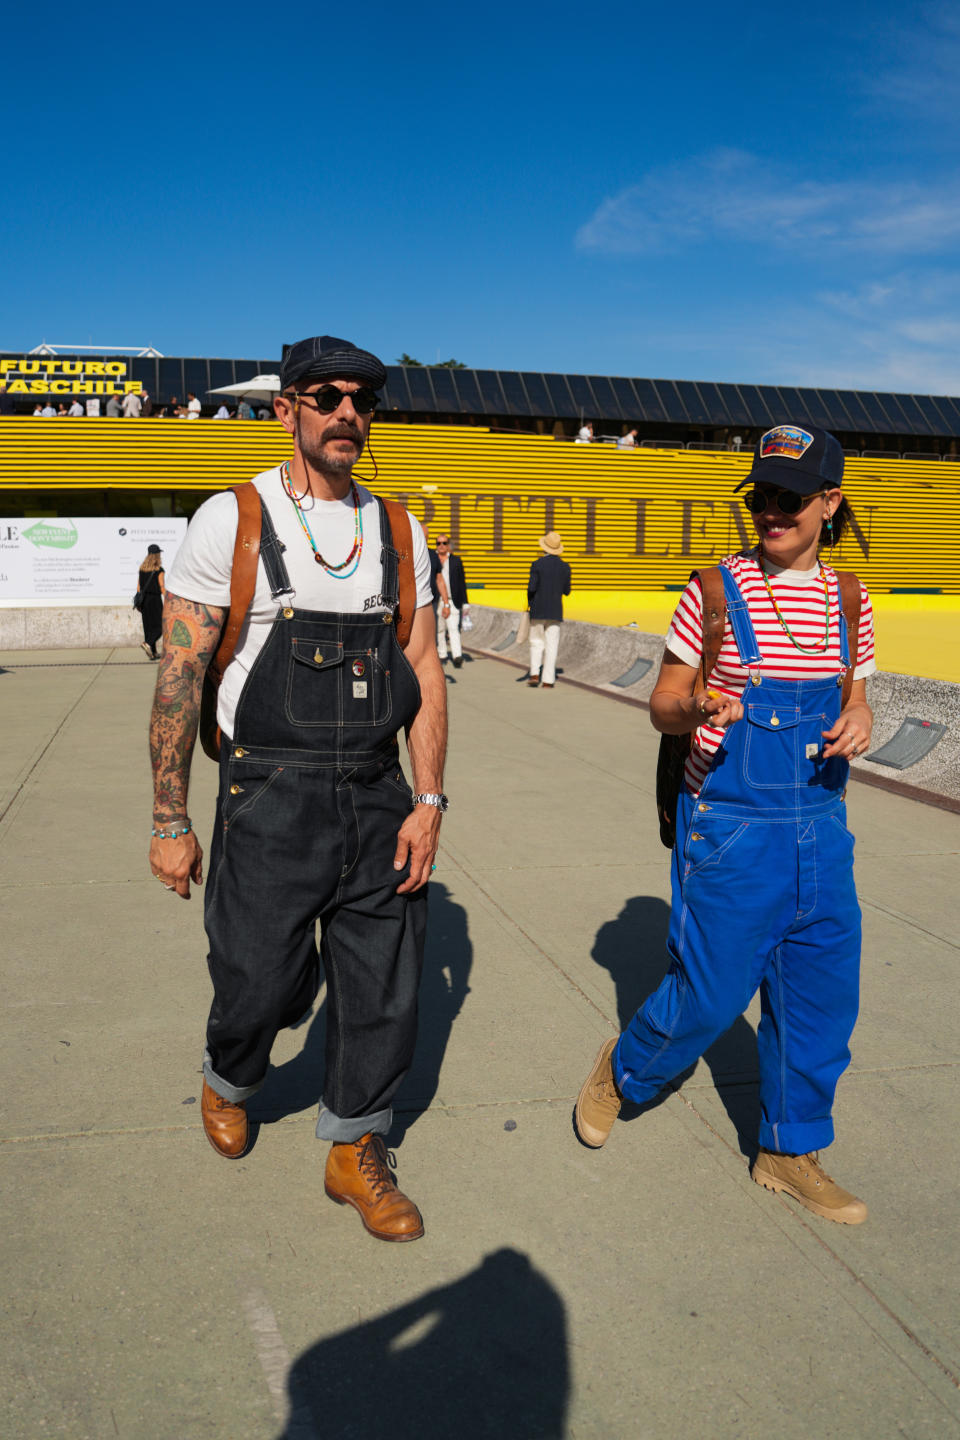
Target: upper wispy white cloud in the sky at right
(738, 197)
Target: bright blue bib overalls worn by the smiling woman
(762, 896)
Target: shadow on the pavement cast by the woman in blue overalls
(634, 950)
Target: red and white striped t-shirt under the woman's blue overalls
(801, 598)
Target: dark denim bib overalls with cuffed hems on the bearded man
(312, 800)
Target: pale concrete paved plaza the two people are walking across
(651, 1290)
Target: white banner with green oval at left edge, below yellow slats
(90, 561)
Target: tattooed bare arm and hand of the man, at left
(191, 634)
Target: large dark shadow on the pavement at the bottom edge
(481, 1359)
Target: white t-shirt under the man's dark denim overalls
(201, 571)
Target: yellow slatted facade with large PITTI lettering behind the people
(631, 521)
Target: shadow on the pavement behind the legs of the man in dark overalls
(448, 957)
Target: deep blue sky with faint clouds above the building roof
(732, 192)
